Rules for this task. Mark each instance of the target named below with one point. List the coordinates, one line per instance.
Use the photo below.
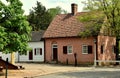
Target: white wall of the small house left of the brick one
(25, 58)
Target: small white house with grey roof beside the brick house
(36, 54)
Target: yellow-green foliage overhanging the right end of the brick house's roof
(92, 21)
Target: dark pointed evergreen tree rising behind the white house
(39, 18)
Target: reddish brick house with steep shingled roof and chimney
(62, 43)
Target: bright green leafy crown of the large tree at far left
(14, 28)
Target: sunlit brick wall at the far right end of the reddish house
(108, 43)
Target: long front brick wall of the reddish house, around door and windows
(77, 48)
